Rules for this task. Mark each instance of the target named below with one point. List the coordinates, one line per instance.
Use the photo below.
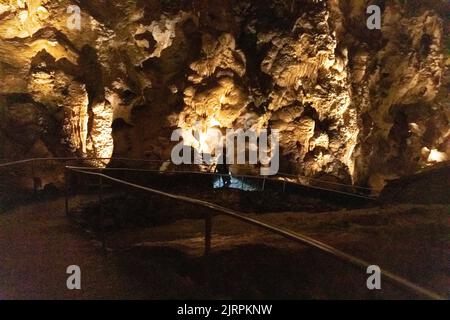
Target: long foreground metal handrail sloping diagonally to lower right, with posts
(288, 234)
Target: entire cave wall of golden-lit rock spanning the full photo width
(352, 104)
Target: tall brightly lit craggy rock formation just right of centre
(310, 73)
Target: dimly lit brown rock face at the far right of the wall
(401, 87)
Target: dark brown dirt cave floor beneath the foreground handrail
(156, 258)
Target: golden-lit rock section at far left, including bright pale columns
(43, 66)
